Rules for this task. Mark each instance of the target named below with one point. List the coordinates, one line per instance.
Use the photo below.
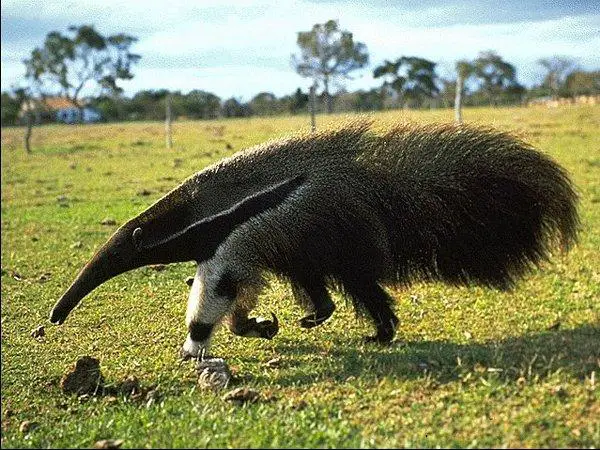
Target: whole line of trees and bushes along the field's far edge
(67, 65)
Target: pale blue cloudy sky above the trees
(242, 47)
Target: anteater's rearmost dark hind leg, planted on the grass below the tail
(371, 297)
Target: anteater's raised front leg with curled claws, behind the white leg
(238, 321)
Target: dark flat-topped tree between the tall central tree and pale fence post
(412, 78)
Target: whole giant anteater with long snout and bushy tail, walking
(350, 209)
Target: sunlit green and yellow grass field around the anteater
(471, 367)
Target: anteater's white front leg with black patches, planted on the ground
(212, 295)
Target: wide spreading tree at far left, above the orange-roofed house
(83, 60)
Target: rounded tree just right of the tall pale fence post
(496, 76)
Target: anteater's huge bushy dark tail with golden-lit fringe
(470, 204)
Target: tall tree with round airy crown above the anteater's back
(327, 54)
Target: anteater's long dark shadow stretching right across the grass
(532, 356)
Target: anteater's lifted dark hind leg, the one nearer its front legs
(315, 300)
